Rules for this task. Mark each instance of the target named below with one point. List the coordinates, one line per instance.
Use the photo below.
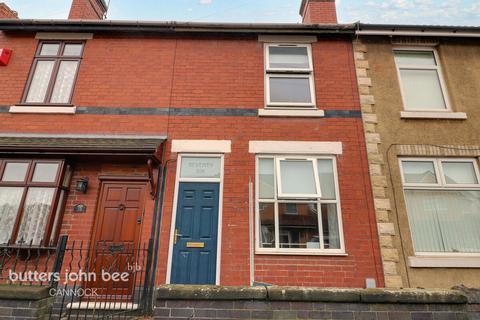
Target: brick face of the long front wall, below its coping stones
(189, 309)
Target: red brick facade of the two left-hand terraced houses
(205, 72)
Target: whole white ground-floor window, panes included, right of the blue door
(298, 206)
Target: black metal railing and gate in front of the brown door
(104, 279)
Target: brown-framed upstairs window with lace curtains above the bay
(53, 74)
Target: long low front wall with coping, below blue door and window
(212, 302)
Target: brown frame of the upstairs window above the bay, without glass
(57, 59)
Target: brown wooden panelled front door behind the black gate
(116, 239)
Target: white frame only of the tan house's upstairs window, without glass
(437, 68)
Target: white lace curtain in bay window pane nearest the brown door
(35, 215)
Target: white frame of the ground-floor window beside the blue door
(317, 201)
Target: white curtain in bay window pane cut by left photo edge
(10, 198)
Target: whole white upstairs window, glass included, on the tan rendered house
(421, 81)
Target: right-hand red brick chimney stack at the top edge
(318, 12)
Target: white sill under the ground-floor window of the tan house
(451, 261)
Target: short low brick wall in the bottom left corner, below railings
(24, 302)
